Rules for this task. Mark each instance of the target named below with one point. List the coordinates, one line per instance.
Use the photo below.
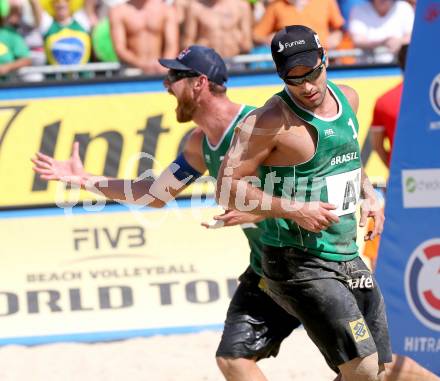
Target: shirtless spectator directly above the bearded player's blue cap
(224, 25)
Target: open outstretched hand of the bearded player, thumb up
(69, 171)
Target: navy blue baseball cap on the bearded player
(200, 59)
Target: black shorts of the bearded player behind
(255, 325)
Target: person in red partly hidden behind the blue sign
(386, 112)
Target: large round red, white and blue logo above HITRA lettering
(422, 283)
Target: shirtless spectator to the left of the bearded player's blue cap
(143, 31)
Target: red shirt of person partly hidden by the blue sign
(386, 112)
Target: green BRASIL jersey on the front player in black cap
(332, 175)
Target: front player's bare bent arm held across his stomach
(253, 143)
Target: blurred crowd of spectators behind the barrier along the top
(90, 38)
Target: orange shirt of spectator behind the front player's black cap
(320, 15)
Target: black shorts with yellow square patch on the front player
(339, 303)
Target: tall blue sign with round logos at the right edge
(408, 269)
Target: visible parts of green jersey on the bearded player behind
(213, 157)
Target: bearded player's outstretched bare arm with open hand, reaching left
(152, 192)
